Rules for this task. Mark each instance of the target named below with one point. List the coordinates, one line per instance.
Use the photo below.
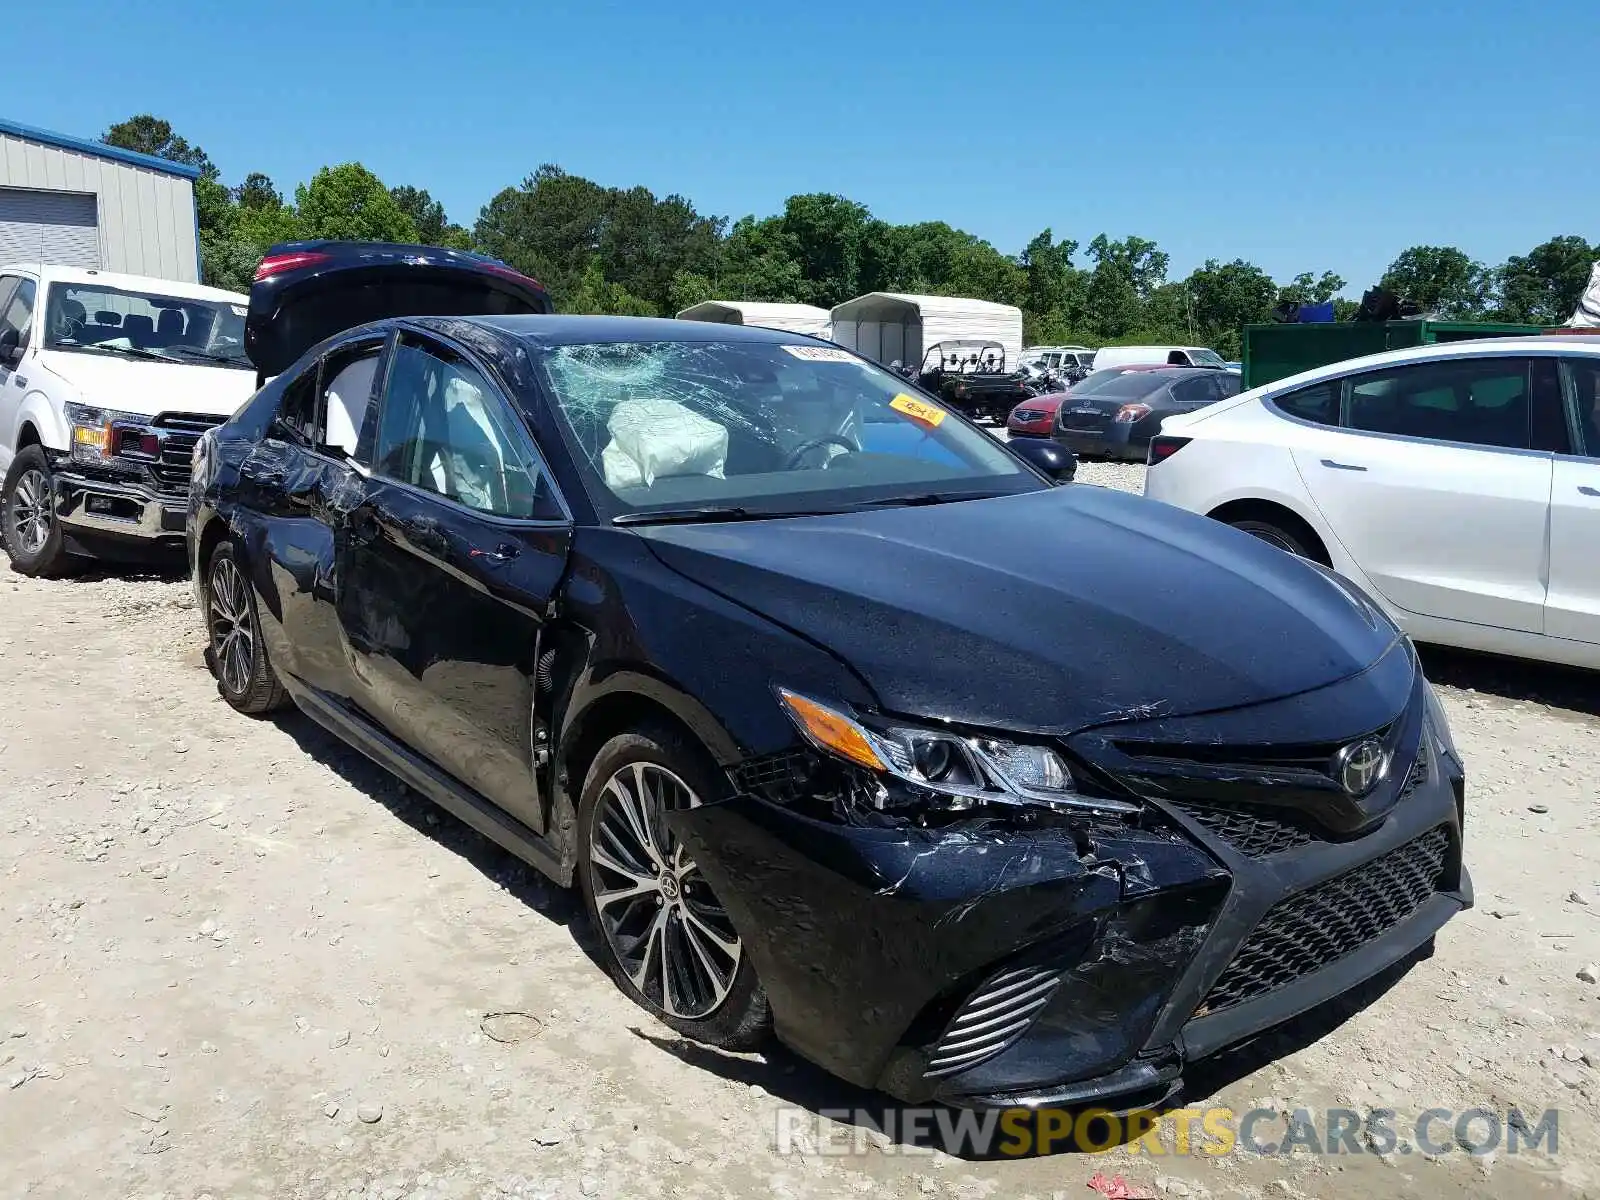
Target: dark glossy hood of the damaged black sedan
(1046, 612)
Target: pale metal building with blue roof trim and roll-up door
(78, 202)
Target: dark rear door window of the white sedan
(1476, 401)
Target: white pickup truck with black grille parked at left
(106, 385)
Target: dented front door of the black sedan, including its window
(447, 569)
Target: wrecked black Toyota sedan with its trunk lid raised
(849, 724)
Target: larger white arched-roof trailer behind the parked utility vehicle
(890, 326)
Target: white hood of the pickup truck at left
(150, 388)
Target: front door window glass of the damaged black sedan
(444, 428)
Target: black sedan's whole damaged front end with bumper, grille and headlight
(956, 918)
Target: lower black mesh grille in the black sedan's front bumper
(1324, 924)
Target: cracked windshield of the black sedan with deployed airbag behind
(764, 428)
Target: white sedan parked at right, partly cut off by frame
(1458, 484)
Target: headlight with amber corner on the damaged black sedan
(943, 767)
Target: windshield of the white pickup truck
(100, 319)
